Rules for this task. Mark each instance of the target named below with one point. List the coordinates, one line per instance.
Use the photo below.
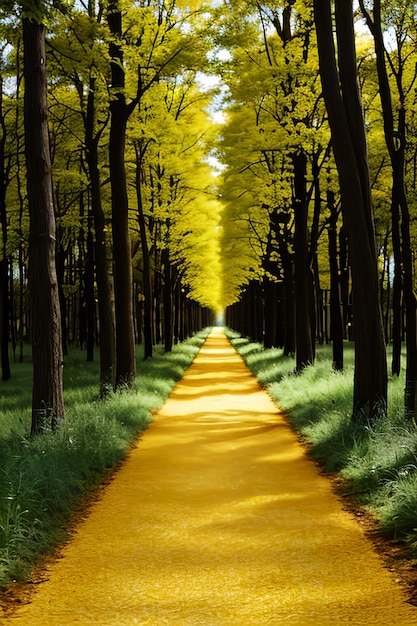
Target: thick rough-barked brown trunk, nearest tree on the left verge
(47, 393)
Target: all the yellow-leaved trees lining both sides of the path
(116, 229)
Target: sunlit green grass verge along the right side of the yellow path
(377, 460)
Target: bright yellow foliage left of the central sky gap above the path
(170, 134)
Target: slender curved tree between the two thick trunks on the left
(80, 59)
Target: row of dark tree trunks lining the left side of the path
(48, 303)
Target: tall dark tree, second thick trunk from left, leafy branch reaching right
(158, 45)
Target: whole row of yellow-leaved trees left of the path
(75, 277)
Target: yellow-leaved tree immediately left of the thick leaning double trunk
(281, 147)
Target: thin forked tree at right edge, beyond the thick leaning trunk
(394, 116)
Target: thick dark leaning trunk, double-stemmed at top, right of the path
(348, 139)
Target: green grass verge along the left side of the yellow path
(43, 479)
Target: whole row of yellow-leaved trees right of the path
(319, 143)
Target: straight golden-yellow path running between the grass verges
(218, 518)
